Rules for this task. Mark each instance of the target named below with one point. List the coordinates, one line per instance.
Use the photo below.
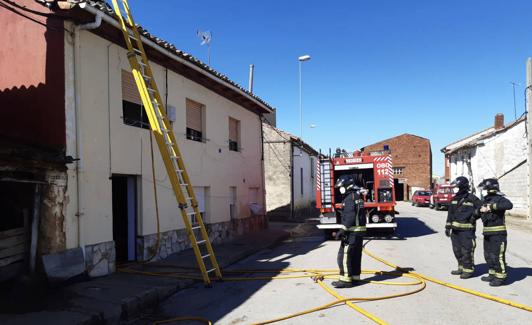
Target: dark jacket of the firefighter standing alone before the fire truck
(353, 217)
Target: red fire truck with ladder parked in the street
(376, 175)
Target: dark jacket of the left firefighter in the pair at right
(463, 212)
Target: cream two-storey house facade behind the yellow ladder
(111, 209)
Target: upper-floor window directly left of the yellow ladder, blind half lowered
(133, 112)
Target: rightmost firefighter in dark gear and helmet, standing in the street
(494, 205)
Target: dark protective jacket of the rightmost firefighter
(494, 220)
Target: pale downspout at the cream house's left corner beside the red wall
(79, 163)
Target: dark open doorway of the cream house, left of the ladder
(124, 217)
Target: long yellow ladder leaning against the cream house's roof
(173, 160)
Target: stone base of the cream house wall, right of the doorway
(174, 241)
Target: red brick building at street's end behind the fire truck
(412, 162)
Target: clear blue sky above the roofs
(437, 69)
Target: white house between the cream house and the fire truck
(289, 166)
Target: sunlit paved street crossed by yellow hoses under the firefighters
(420, 243)
